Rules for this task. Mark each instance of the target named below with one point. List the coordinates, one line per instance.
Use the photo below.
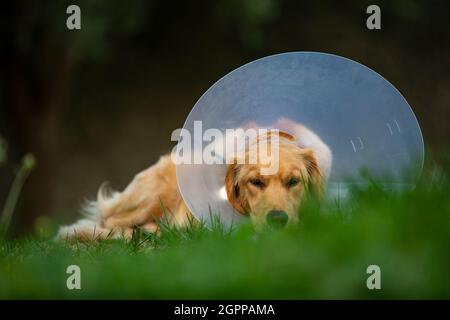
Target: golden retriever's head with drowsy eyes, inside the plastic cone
(274, 198)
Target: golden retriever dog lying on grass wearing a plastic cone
(303, 163)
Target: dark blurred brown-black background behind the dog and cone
(100, 103)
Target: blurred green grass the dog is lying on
(324, 256)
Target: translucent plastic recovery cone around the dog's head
(363, 118)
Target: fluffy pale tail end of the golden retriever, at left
(91, 227)
